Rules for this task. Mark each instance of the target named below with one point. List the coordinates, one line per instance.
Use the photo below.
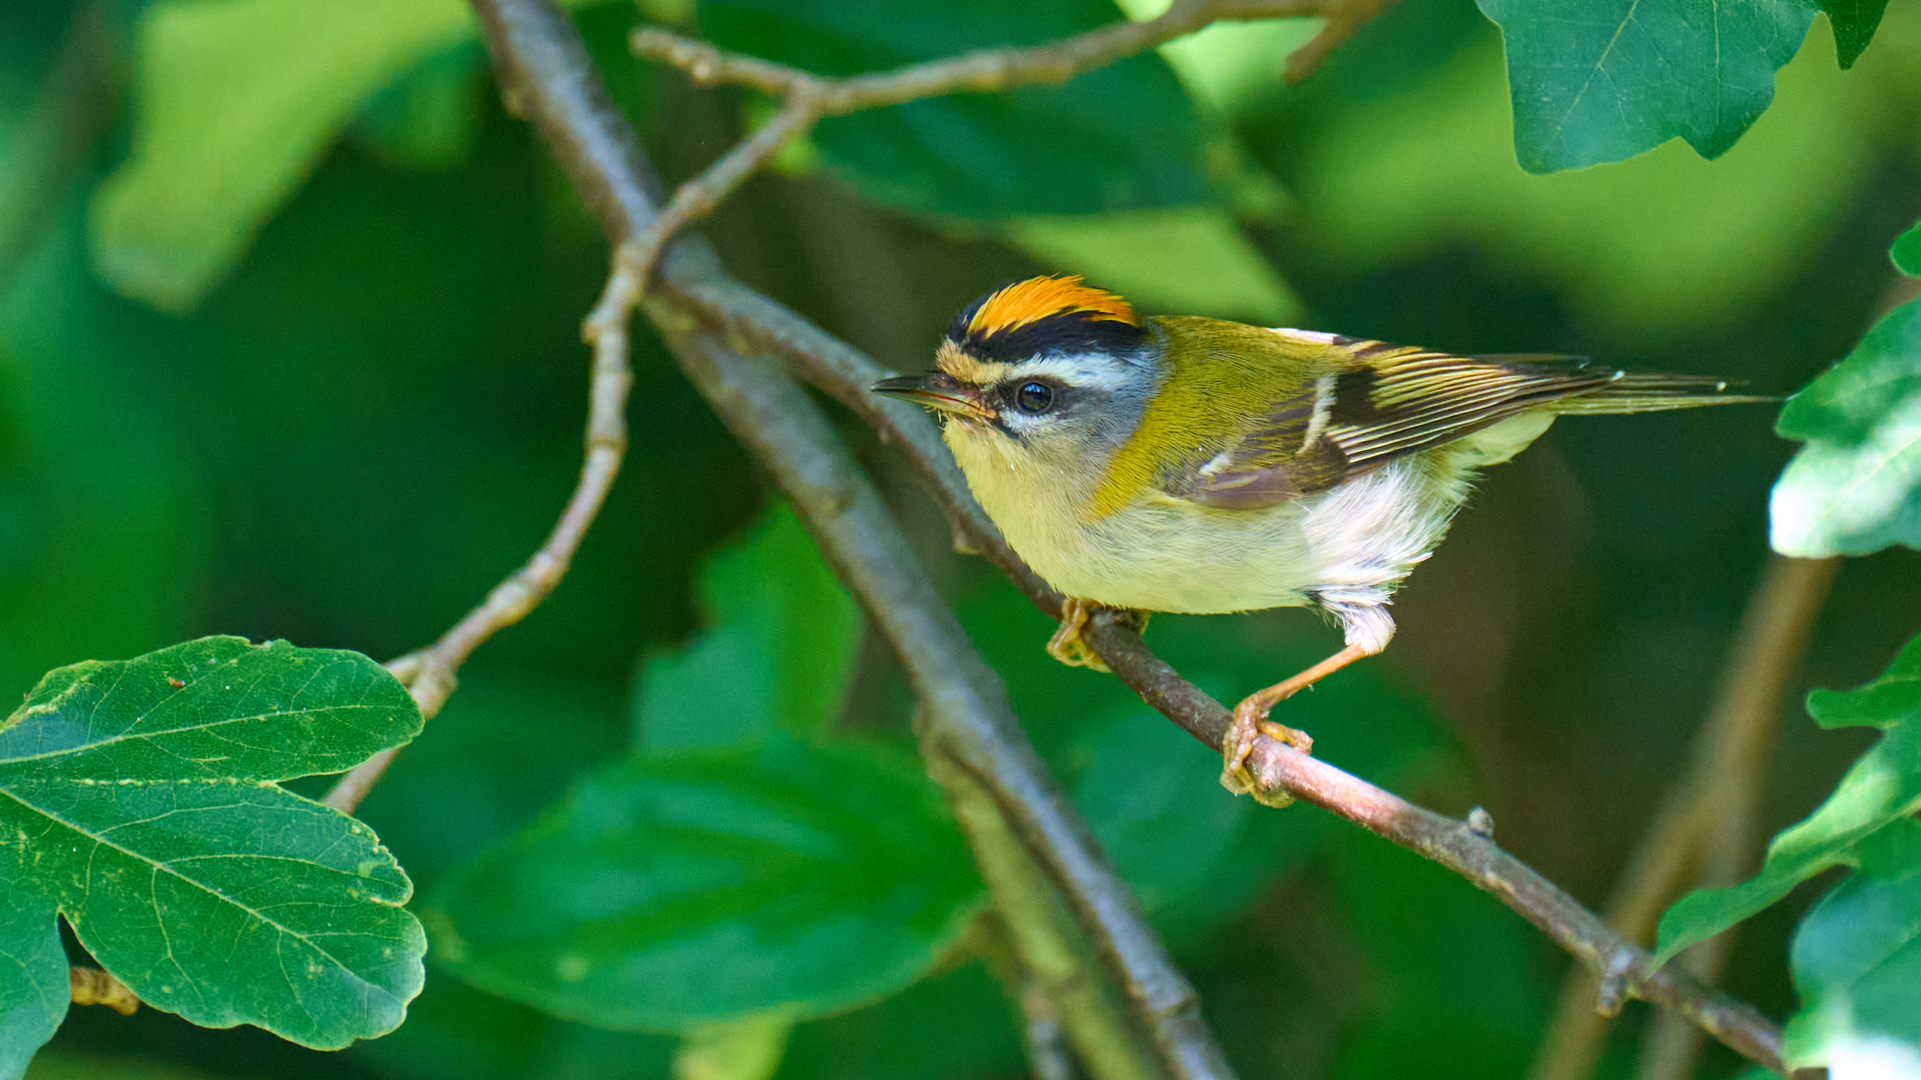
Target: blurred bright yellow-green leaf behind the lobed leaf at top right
(1655, 249)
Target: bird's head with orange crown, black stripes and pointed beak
(1048, 370)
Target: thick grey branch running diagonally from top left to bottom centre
(965, 720)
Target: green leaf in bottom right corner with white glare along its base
(1859, 966)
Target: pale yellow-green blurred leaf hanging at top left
(235, 105)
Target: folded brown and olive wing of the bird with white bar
(1367, 405)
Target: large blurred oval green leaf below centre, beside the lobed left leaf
(677, 891)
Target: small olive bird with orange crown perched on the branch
(1186, 464)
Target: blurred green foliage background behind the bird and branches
(343, 430)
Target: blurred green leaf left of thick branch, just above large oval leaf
(777, 652)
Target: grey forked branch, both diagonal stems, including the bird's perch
(545, 70)
